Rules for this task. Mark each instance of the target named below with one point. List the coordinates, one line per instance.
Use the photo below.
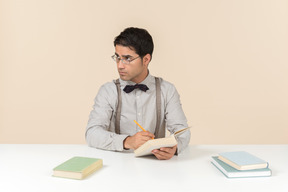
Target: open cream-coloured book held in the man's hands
(152, 144)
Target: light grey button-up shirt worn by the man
(136, 105)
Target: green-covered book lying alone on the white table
(77, 167)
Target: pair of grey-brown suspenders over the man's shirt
(158, 131)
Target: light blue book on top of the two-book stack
(242, 160)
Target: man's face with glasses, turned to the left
(136, 70)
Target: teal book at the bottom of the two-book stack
(231, 172)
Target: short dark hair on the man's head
(136, 39)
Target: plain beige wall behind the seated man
(228, 60)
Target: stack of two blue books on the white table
(241, 164)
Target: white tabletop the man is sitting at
(28, 167)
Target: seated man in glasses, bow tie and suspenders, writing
(136, 95)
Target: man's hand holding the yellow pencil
(135, 141)
